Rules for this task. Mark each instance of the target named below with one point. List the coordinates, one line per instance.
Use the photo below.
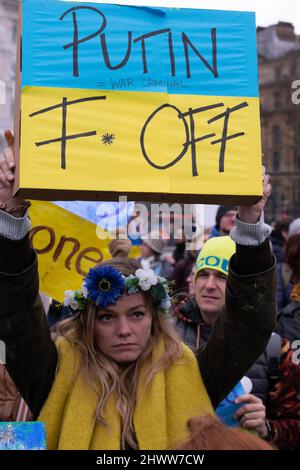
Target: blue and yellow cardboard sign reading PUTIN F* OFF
(154, 103)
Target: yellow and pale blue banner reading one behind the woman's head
(72, 237)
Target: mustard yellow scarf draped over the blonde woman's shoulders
(161, 412)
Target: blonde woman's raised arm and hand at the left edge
(31, 357)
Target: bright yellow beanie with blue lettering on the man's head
(215, 254)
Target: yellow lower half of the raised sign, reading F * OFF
(91, 140)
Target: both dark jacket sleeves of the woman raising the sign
(239, 335)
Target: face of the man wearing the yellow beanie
(210, 288)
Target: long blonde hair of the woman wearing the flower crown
(97, 369)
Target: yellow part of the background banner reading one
(67, 246)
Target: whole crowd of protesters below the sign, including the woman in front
(140, 363)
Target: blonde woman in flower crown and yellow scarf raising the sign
(117, 376)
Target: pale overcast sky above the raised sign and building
(267, 12)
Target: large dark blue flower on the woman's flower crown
(104, 285)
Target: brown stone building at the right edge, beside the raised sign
(279, 69)
